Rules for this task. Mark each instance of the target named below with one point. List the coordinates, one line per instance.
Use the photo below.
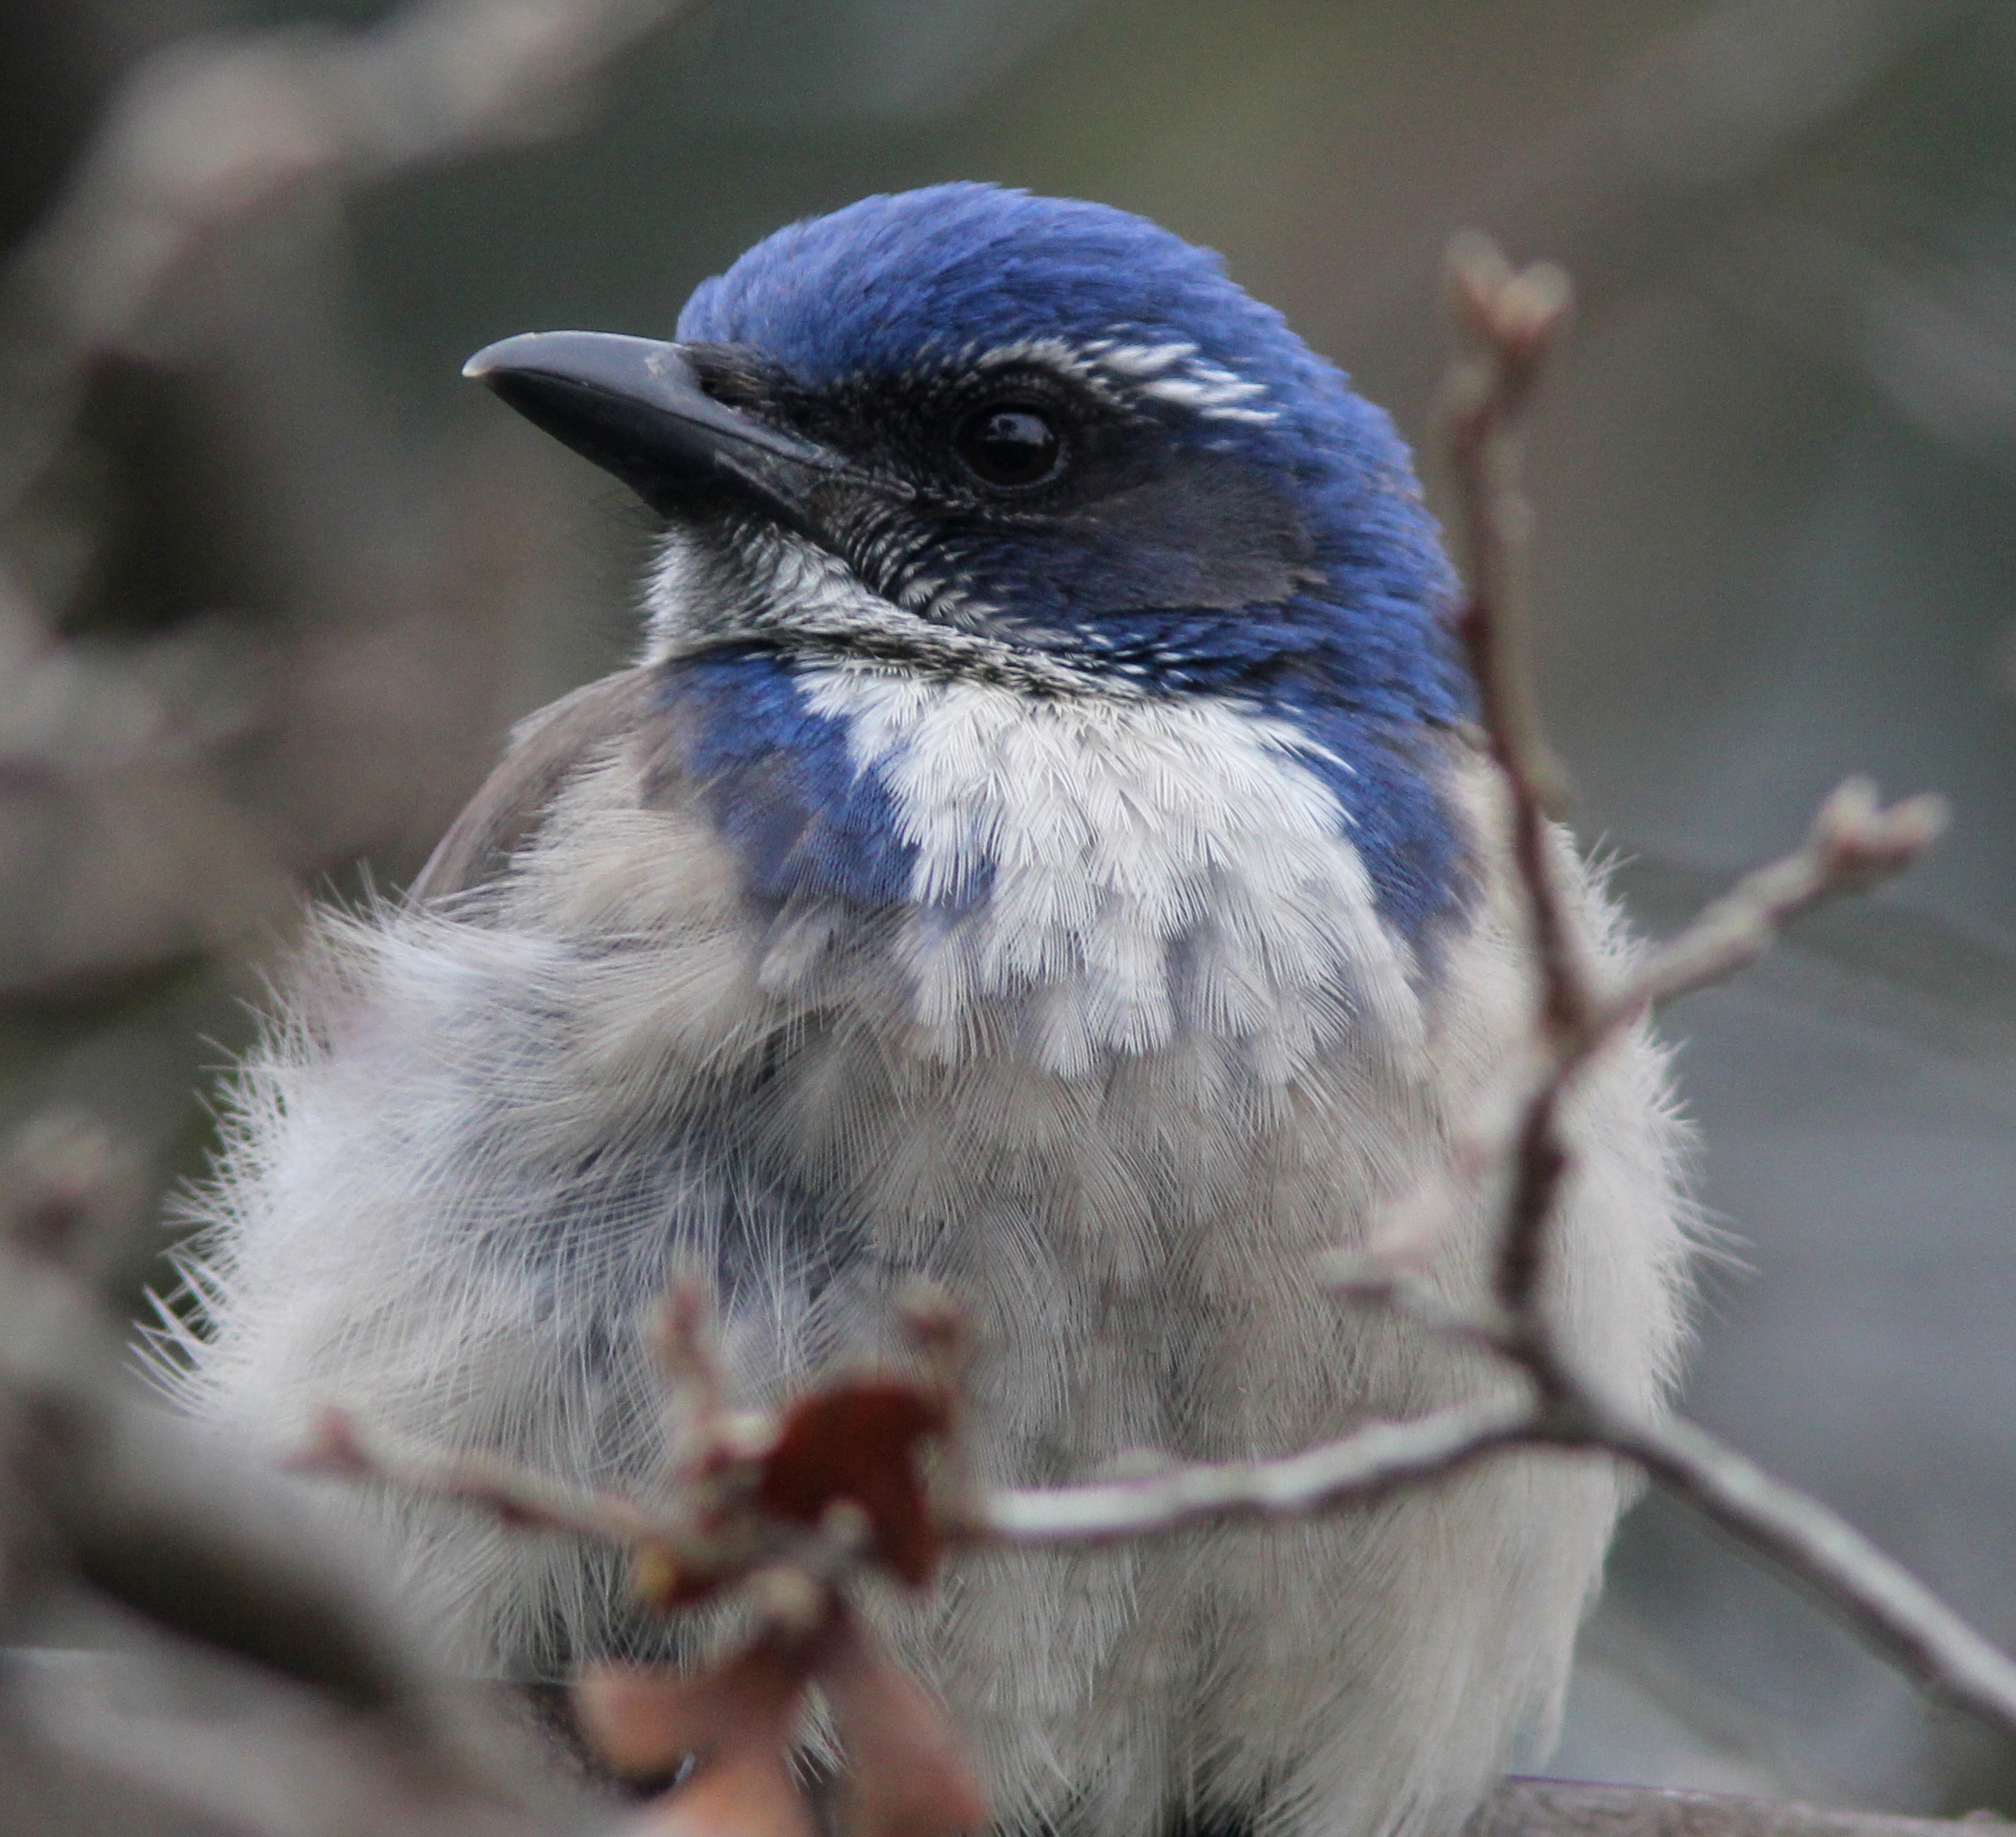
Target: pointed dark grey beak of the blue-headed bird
(636, 408)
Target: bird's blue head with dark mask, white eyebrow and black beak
(1041, 443)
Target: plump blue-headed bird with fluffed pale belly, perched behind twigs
(1041, 846)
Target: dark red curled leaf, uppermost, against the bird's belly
(860, 1443)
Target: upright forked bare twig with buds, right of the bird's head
(1854, 844)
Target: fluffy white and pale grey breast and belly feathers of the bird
(1154, 1054)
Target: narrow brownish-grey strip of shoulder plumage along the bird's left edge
(543, 751)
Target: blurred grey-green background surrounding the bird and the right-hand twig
(273, 582)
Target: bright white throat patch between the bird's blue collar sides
(1138, 868)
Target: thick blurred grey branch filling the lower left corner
(108, 1501)
